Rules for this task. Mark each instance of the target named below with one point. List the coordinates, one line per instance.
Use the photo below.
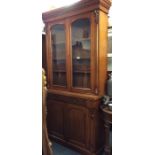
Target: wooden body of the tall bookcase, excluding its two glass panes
(73, 113)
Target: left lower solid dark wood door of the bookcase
(55, 118)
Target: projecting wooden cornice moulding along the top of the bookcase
(82, 6)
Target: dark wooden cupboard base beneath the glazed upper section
(76, 123)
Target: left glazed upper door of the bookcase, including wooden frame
(57, 55)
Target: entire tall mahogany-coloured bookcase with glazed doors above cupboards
(76, 60)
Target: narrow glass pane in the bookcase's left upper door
(59, 55)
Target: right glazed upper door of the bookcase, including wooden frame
(81, 53)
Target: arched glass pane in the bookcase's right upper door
(81, 53)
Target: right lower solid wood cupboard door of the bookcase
(76, 125)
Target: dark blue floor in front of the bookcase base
(61, 150)
